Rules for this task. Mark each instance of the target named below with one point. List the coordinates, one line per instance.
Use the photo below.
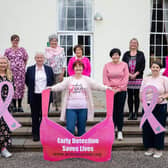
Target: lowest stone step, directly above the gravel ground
(129, 143)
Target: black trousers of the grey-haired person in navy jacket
(36, 113)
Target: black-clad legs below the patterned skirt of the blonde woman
(133, 98)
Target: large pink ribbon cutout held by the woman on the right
(156, 126)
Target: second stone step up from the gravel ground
(128, 131)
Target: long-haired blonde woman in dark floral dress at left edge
(5, 139)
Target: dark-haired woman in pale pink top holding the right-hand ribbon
(152, 142)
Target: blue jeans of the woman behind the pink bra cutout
(76, 116)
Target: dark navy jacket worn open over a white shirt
(30, 80)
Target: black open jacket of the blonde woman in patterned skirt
(140, 62)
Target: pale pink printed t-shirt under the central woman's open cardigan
(77, 94)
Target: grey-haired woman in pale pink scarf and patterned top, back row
(56, 58)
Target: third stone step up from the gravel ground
(26, 121)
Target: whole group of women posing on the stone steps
(123, 77)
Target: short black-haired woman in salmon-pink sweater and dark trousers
(115, 75)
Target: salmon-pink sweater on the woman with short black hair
(116, 75)
